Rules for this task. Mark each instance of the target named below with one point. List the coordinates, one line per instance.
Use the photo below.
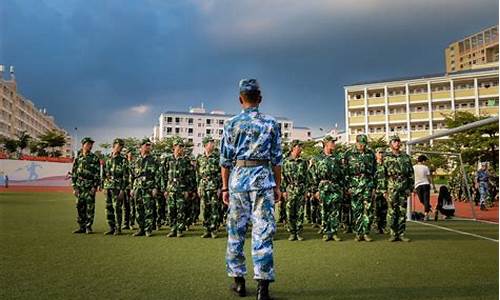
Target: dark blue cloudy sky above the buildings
(110, 67)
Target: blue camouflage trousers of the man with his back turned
(256, 207)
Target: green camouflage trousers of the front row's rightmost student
(396, 211)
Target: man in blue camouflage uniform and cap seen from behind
(251, 159)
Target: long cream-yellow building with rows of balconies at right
(416, 107)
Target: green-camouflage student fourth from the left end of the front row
(177, 185)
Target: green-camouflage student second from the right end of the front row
(360, 175)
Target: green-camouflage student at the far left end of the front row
(85, 180)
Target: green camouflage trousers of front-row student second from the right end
(361, 207)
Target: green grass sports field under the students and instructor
(41, 259)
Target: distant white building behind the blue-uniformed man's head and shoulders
(196, 123)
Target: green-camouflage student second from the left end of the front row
(116, 178)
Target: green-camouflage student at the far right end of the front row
(399, 181)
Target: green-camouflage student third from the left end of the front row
(147, 180)
